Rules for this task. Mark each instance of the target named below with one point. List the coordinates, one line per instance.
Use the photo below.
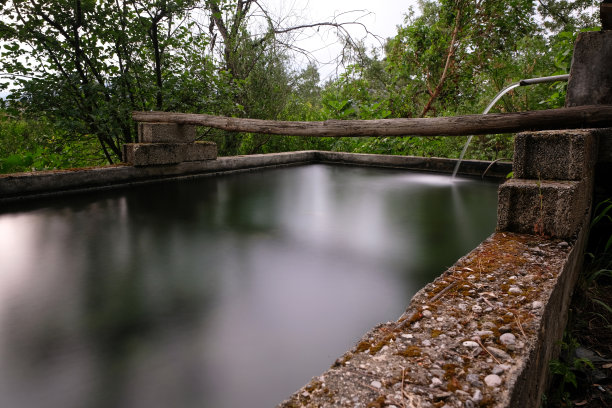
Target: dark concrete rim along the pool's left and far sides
(25, 186)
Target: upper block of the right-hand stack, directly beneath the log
(555, 154)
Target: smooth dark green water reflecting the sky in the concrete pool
(229, 291)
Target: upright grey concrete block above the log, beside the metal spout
(590, 81)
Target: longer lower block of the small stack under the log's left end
(151, 154)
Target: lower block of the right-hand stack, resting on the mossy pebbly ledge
(548, 208)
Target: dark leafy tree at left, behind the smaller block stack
(86, 64)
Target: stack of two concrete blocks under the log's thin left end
(167, 144)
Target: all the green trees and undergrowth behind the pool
(79, 68)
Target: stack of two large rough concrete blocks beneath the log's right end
(552, 185)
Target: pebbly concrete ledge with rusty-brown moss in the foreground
(480, 335)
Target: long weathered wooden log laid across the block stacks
(593, 116)
